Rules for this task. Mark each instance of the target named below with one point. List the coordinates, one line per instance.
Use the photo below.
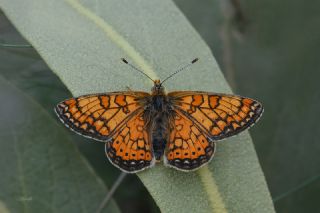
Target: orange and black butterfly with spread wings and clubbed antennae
(139, 128)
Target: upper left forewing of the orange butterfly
(99, 116)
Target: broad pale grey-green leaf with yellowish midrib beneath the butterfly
(83, 42)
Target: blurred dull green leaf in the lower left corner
(41, 170)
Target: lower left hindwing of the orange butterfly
(130, 149)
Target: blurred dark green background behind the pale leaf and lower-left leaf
(268, 50)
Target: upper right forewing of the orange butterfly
(217, 115)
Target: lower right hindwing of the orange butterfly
(188, 147)
